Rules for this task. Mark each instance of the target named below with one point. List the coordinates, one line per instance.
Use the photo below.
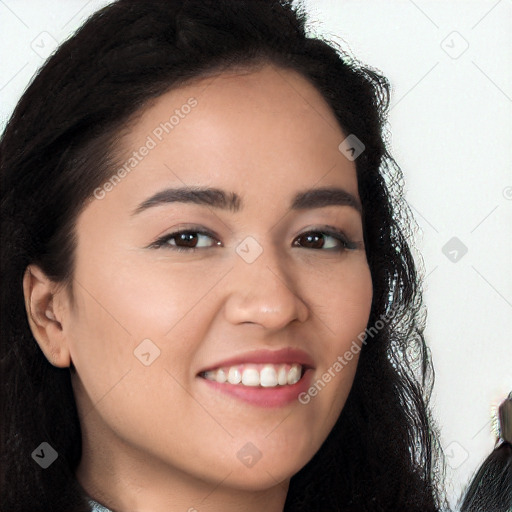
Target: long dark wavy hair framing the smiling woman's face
(59, 145)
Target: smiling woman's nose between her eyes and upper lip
(265, 292)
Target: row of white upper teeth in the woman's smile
(267, 375)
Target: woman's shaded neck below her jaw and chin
(125, 483)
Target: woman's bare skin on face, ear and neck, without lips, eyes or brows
(157, 438)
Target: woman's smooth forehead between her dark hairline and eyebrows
(263, 131)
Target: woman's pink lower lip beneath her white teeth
(278, 396)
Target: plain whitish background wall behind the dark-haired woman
(450, 64)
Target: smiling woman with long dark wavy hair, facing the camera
(209, 299)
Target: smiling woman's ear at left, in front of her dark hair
(45, 310)
